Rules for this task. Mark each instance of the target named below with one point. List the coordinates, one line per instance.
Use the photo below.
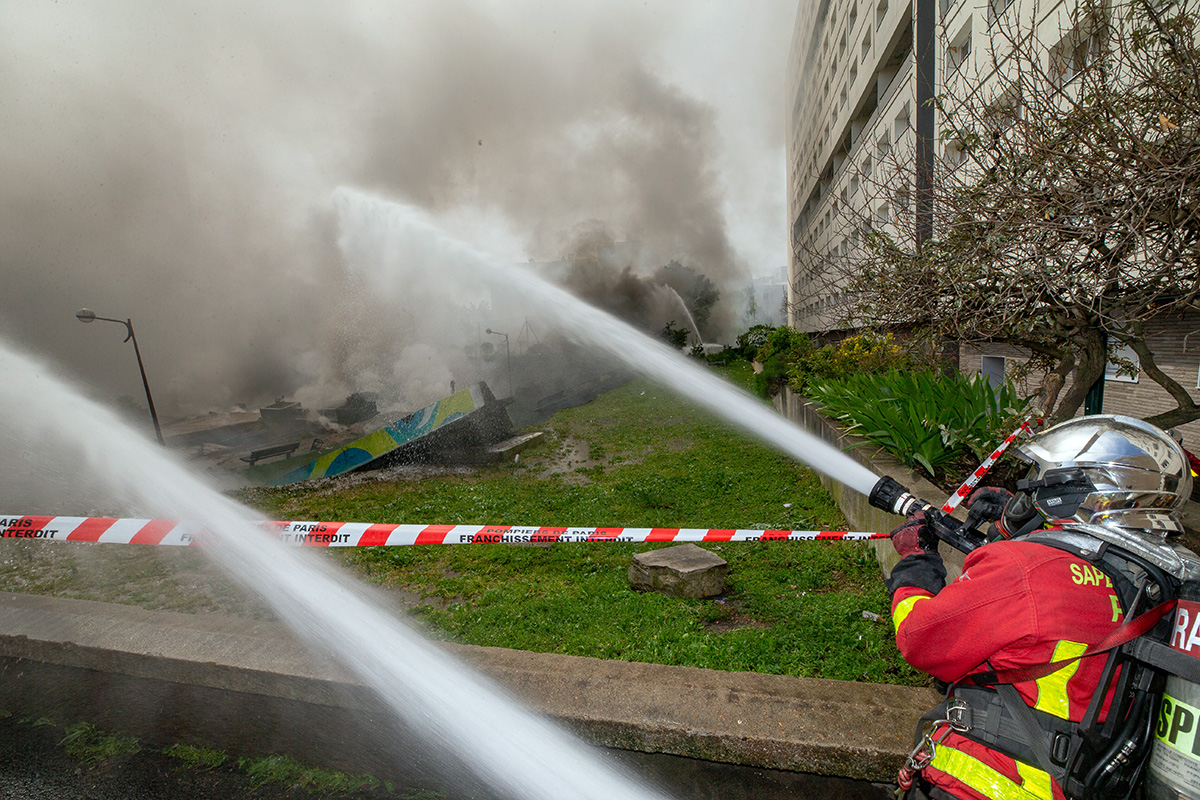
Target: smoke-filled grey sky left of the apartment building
(176, 164)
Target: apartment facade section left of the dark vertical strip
(853, 92)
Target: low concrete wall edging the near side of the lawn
(249, 688)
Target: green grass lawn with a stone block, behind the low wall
(638, 456)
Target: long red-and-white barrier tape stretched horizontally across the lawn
(364, 534)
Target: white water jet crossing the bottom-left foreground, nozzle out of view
(506, 748)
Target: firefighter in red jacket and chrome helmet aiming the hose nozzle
(1028, 599)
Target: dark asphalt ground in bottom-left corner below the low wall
(34, 767)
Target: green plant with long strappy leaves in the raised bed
(923, 419)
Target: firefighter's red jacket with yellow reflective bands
(1017, 605)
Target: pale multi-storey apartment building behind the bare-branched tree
(851, 155)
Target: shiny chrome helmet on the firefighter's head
(1105, 471)
